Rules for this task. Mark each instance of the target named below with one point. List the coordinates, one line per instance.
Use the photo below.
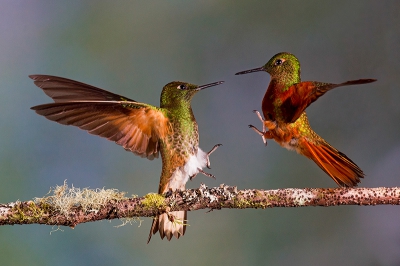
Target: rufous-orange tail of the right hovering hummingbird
(335, 163)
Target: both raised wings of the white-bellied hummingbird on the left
(136, 126)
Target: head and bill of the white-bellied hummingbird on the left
(176, 93)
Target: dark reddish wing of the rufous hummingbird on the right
(300, 95)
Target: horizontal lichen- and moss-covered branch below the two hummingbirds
(69, 206)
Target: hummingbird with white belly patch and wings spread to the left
(146, 130)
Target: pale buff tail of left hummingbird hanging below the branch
(168, 228)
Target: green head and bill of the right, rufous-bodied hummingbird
(282, 67)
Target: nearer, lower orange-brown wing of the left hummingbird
(136, 128)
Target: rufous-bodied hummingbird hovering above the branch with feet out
(285, 119)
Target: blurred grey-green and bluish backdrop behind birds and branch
(134, 48)
